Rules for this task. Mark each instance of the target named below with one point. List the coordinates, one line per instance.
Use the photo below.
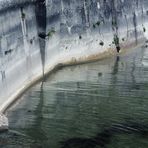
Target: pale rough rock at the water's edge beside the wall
(3, 123)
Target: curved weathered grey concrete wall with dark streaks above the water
(37, 35)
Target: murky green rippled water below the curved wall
(96, 105)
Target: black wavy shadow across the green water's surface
(104, 138)
